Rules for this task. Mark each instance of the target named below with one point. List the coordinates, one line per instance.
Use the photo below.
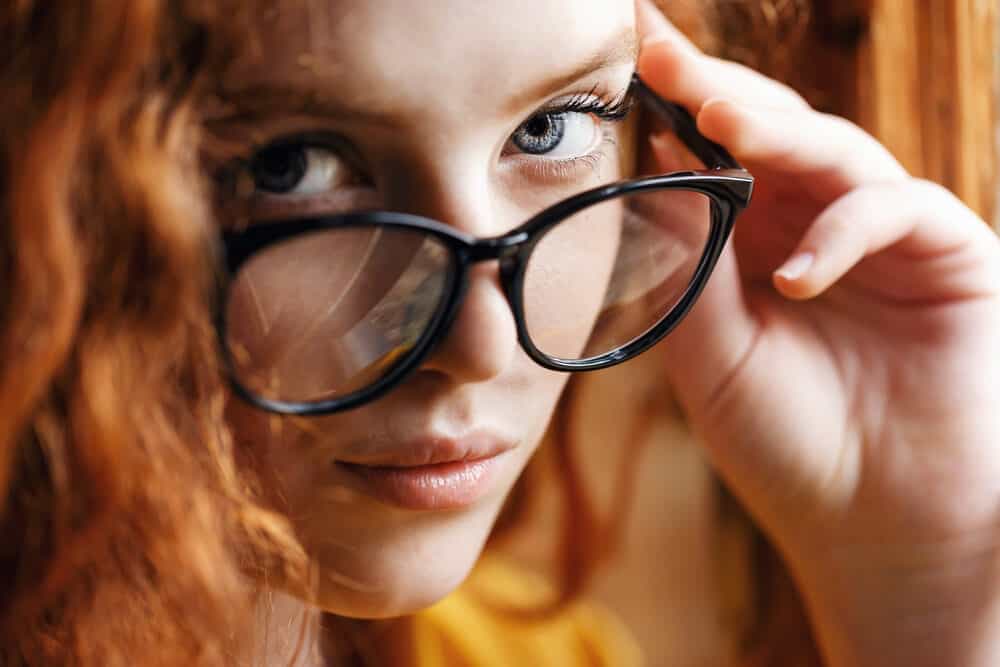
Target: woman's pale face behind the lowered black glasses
(478, 114)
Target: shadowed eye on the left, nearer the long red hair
(298, 169)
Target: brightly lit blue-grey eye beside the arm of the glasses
(560, 135)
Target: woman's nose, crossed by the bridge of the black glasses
(481, 342)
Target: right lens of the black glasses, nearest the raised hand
(607, 275)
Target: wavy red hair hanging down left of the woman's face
(127, 531)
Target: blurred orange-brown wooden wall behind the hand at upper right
(921, 76)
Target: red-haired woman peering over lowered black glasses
(416, 240)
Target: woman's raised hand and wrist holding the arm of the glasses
(843, 370)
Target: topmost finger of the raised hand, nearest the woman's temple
(677, 70)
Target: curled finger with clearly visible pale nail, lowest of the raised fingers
(921, 220)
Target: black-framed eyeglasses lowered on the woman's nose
(323, 314)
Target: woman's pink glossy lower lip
(443, 486)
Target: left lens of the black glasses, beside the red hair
(328, 313)
